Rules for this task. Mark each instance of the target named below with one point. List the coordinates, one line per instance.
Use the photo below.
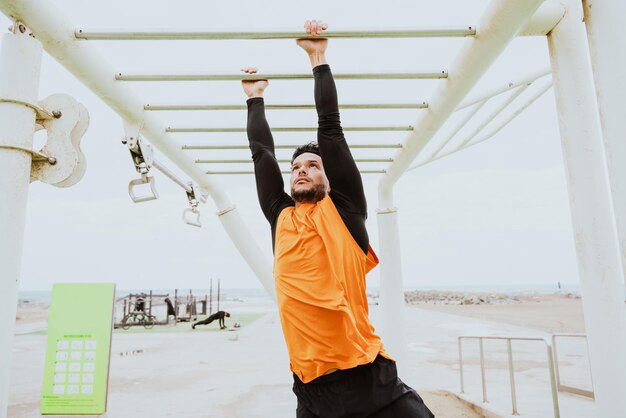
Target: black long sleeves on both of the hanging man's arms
(346, 185)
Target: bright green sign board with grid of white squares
(78, 350)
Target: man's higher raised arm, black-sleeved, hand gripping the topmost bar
(346, 185)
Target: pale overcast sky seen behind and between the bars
(495, 214)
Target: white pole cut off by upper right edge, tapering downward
(607, 44)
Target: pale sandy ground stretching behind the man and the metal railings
(174, 371)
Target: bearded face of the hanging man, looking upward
(308, 180)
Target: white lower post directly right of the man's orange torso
(392, 307)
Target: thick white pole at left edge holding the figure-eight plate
(20, 62)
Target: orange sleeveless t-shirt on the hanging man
(319, 272)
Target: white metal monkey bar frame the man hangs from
(503, 20)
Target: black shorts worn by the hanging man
(370, 390)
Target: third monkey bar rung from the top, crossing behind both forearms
(161, 107)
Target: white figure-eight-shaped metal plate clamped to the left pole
(61, 162)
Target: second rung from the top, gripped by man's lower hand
(303, 76)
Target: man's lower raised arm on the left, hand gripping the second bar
(269, 180)
